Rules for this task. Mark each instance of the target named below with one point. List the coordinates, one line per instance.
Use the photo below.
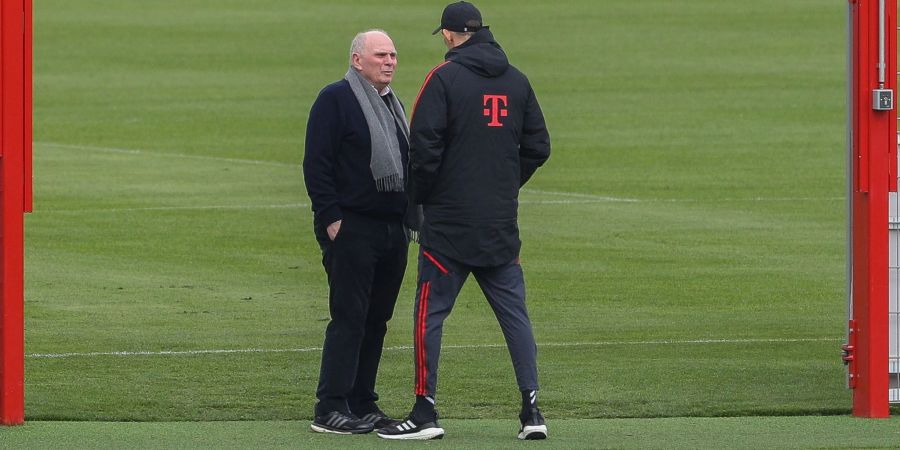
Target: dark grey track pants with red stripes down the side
(439, 282)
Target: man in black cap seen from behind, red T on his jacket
(477, 135)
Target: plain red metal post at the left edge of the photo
(15, 122)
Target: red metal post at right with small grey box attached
(874, 161)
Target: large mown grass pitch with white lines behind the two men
(684, 246)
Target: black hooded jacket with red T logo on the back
(477, 135)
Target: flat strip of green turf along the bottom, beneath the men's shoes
(669, 433)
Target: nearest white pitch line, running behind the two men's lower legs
(407, 347)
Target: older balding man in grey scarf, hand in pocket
(355, 173)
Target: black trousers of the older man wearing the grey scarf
(365, 266)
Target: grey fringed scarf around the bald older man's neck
(386, 162)
